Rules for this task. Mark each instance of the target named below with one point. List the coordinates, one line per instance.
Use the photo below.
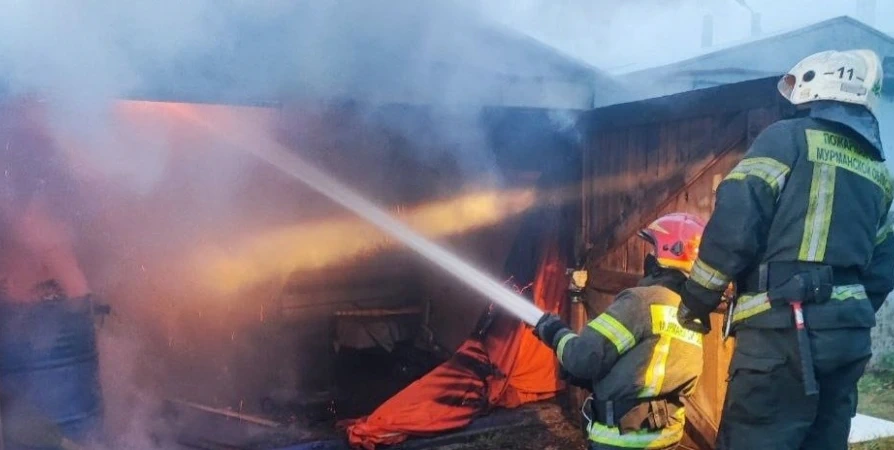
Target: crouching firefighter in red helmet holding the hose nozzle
(635, 358)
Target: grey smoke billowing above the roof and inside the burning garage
(138, 189)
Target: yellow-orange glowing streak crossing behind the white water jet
(278, 252)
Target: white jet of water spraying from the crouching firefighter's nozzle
(287, 161)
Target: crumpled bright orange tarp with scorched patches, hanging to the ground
(507, 367)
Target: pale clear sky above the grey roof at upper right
(616, 35)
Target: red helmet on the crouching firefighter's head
(675, 239)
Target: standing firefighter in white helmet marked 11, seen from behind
(802, 226)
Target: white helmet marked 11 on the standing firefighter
(853, 76)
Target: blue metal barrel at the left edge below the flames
(49, 369)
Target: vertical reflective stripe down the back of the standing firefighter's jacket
(819, 214)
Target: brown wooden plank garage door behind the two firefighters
(659, 156)
